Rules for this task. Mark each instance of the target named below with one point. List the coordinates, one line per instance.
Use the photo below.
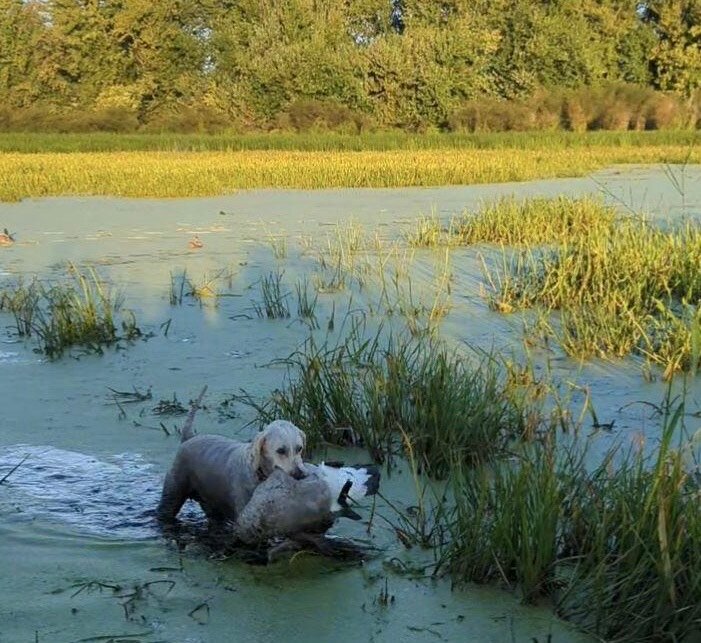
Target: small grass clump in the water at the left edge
(80, 312)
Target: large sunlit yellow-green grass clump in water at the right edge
(630, 287)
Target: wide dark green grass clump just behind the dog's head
(374, 388)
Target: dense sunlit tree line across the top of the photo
(413, 64)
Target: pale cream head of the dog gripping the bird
(279, 446)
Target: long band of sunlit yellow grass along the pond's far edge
(190, 174)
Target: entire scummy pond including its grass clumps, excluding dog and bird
(520, 359)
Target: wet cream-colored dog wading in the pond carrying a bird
(222, 474)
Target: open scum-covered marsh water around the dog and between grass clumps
(81, 557)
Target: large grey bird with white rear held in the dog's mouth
(283, 506)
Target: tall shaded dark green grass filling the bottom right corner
(616, 545)
